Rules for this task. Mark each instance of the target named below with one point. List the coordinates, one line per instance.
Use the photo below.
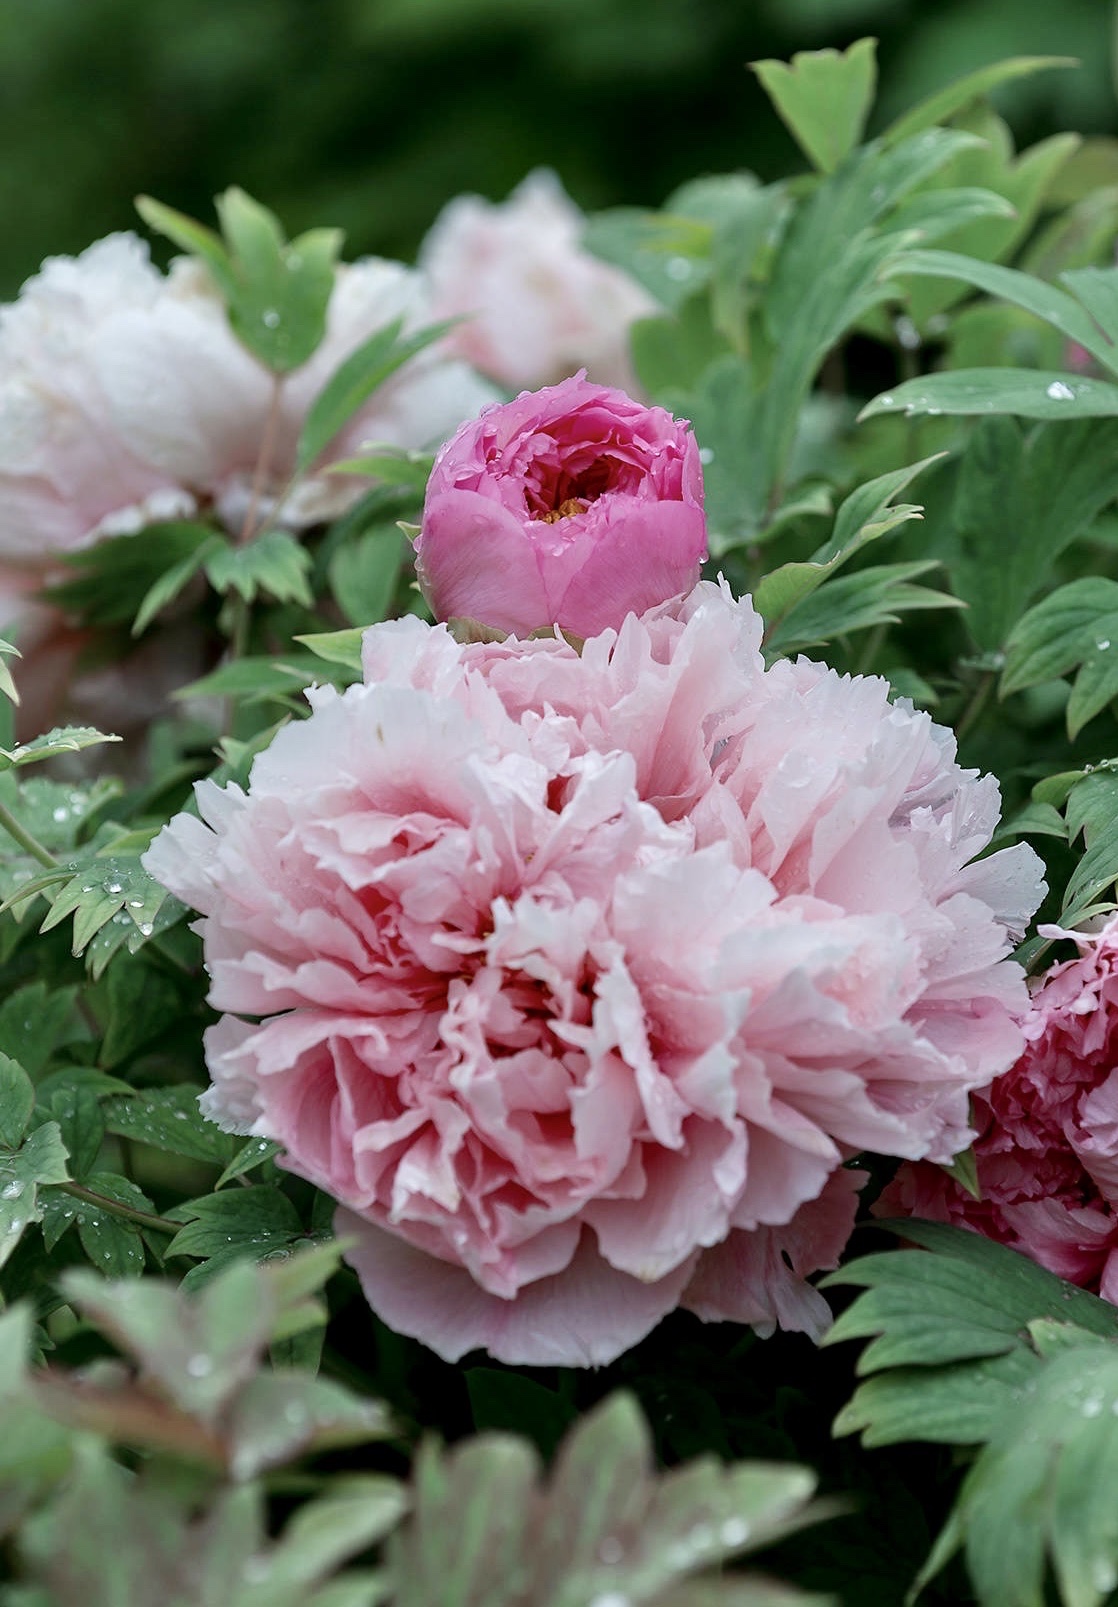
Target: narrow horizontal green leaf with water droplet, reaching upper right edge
(1029, 393)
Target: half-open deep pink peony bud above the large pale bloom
(569, 507)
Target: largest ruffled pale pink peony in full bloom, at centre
(577, 979)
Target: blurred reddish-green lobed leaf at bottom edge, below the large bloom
(606, 1529)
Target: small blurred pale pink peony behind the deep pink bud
(536, 305)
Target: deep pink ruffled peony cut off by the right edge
(1048, 1132)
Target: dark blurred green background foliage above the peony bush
(373, 113)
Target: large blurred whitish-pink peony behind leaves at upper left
(126, 399)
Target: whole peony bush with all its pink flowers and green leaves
(526, 783)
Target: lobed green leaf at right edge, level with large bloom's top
(1071, 629)
